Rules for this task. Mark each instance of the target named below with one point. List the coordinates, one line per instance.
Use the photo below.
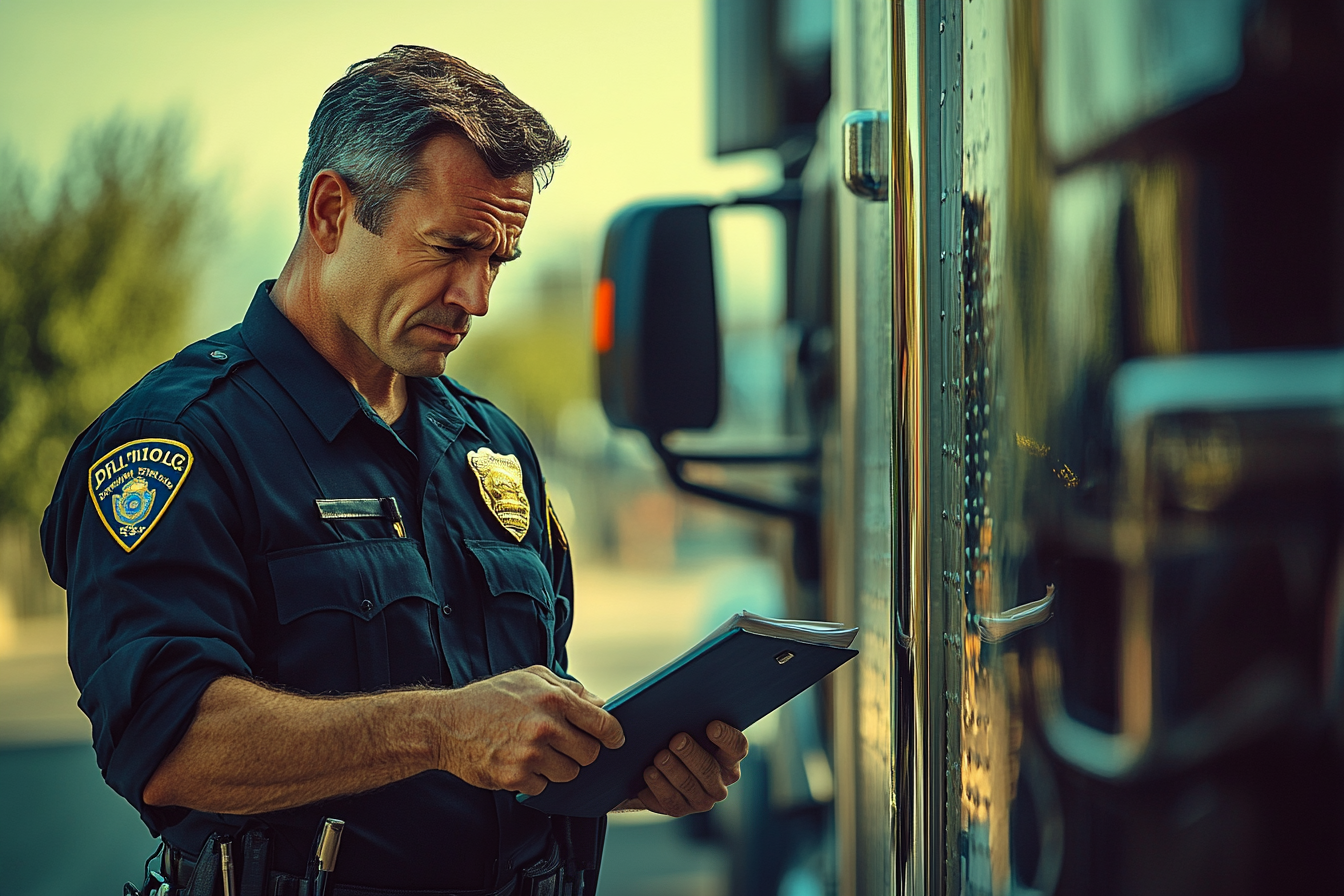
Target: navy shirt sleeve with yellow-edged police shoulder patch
(154, 624)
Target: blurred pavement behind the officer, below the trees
(65, 834)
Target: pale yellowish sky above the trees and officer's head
(627, 81)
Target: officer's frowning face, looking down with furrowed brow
(411, 294)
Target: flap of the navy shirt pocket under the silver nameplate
(361, 578)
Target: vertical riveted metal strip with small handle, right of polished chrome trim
(997, 404)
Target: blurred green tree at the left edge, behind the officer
(95, 284)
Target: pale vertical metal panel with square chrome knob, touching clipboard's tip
(858, 521)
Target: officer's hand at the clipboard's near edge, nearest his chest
(523, 730)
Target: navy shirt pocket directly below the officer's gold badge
(521, 609)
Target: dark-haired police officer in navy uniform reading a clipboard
(310, 577)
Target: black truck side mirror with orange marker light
(657, 327)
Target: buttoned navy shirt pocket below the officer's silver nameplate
(334, 604)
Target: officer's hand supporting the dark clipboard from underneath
(686, 778)
